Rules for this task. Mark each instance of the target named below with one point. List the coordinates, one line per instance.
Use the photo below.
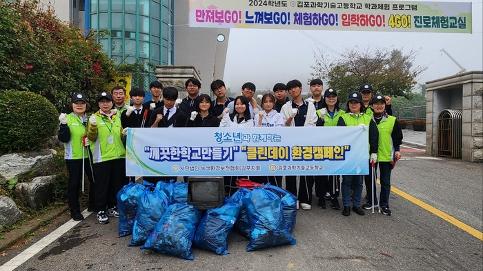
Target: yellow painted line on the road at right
(448, 218)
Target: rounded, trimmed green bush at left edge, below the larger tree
(26, 122)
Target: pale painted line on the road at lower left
(41, 244)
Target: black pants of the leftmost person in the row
(74, 169)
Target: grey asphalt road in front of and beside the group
(411, 239)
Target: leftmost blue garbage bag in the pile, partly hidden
(127, 199)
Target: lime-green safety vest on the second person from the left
(108, 145)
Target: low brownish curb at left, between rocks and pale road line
(14, 235)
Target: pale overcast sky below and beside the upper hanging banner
(266, 57)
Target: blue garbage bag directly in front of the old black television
(214, 227)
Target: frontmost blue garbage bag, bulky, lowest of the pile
(174, 232)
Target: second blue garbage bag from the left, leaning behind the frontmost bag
(151, 206)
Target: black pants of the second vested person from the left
(109, 176)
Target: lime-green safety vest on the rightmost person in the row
(385, 150)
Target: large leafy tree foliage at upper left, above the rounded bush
(43, 55)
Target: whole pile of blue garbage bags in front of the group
(160, 218)
